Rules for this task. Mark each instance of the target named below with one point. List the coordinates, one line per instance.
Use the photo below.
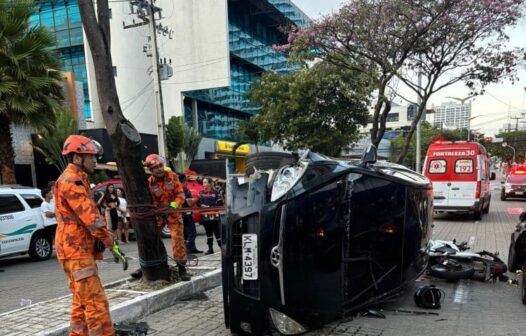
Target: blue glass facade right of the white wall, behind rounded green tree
(251, 36)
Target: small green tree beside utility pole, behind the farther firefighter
(183, 143)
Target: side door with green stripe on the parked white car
(15, 222)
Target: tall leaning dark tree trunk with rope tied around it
(125, 141)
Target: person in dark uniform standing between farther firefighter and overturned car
(208, 197)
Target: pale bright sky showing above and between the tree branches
(492, 110)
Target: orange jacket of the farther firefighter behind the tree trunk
(166, 190)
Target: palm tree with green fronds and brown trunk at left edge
(30, 89)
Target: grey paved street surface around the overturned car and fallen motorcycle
(470, 307)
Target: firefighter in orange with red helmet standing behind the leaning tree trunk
(167, 191)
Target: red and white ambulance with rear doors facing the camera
(460, 173)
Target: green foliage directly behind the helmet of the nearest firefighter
(49, 142)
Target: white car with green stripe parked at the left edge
(22, 227)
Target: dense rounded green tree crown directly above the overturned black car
(320, 108)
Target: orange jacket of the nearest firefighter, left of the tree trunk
(79, 221)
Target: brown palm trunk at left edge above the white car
(7, 153)
